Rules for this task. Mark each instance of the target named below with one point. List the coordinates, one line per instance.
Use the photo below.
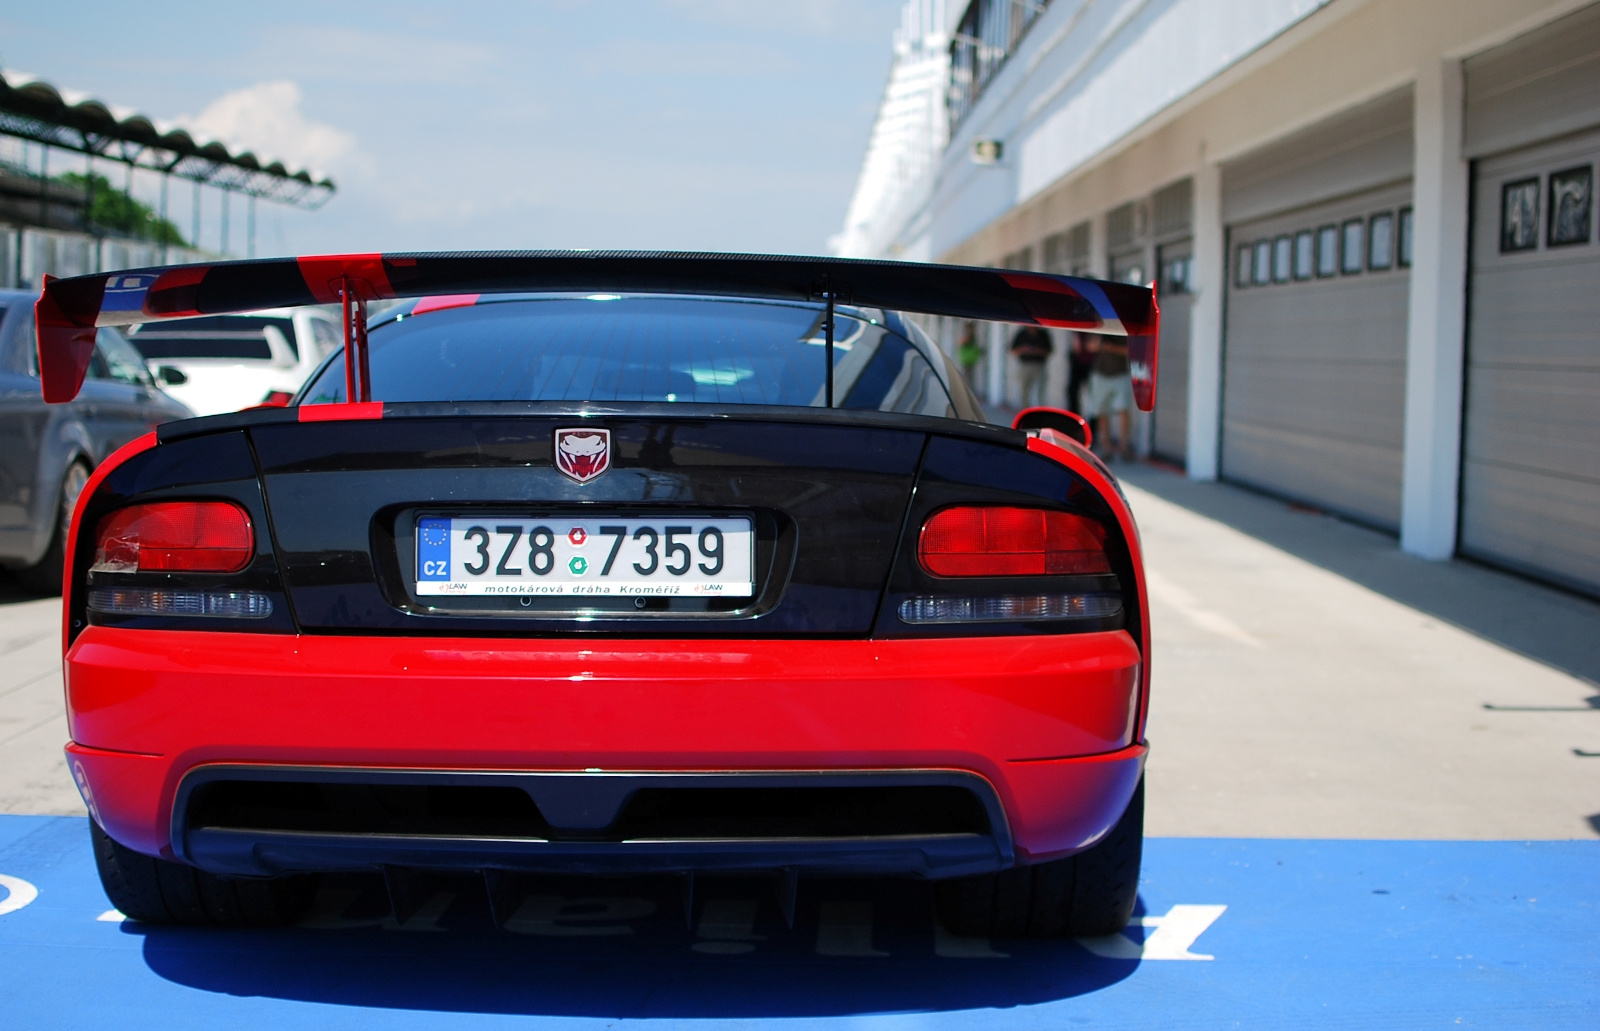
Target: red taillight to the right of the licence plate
(1012, 542)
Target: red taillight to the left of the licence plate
(175, 537)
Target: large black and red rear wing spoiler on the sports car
(70, 310)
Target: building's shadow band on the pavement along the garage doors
(1543, 624)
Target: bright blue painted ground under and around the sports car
(1254, 934)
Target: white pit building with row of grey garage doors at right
(1372, 223)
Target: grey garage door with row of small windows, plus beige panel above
(1314, 339)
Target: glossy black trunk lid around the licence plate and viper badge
(830, 503)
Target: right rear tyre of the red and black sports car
(1084, 896)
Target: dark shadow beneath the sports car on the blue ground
(622, 949)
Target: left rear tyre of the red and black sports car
(164, 893)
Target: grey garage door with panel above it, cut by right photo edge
(1530, 478)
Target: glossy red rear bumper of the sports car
(1047, 721)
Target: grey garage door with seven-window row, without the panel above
(1314, 369)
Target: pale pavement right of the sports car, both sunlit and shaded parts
(1313, 681)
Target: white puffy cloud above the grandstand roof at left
(268, 121)
